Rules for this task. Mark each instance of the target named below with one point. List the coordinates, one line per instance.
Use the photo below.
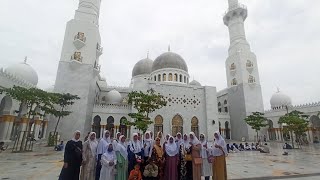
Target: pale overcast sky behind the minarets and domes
(284, 34)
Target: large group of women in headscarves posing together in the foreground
(149, 158)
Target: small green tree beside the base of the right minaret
(256, 121)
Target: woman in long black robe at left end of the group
(72, 158)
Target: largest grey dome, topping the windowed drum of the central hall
(169, 60)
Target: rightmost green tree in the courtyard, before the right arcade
(295, 123)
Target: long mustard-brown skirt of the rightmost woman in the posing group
(219, 168)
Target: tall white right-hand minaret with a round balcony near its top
(243, 79)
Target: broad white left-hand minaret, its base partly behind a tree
(79, 67)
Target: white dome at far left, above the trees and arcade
(24, 71)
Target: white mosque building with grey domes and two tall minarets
(190, 106)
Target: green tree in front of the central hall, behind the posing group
(144, 103)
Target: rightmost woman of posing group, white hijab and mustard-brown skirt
(219, 152)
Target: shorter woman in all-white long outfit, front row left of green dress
(108, 162)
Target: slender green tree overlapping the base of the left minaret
(62, 101)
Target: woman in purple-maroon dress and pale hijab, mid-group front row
(172, 160)
